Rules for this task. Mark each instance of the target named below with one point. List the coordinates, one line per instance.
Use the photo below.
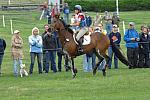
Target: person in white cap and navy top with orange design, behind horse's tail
(115, 38)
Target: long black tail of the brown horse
(119, 53)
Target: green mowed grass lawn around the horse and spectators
(121, 84)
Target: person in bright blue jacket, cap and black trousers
(131, 38)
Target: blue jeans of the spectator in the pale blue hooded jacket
(39, 60)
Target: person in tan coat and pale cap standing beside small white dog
(16, 49)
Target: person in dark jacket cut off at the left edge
(2, 49)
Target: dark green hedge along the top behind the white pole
(110, 5)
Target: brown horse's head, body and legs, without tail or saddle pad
(98, 45)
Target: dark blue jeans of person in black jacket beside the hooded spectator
(51, 56)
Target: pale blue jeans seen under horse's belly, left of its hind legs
(87, 63)
